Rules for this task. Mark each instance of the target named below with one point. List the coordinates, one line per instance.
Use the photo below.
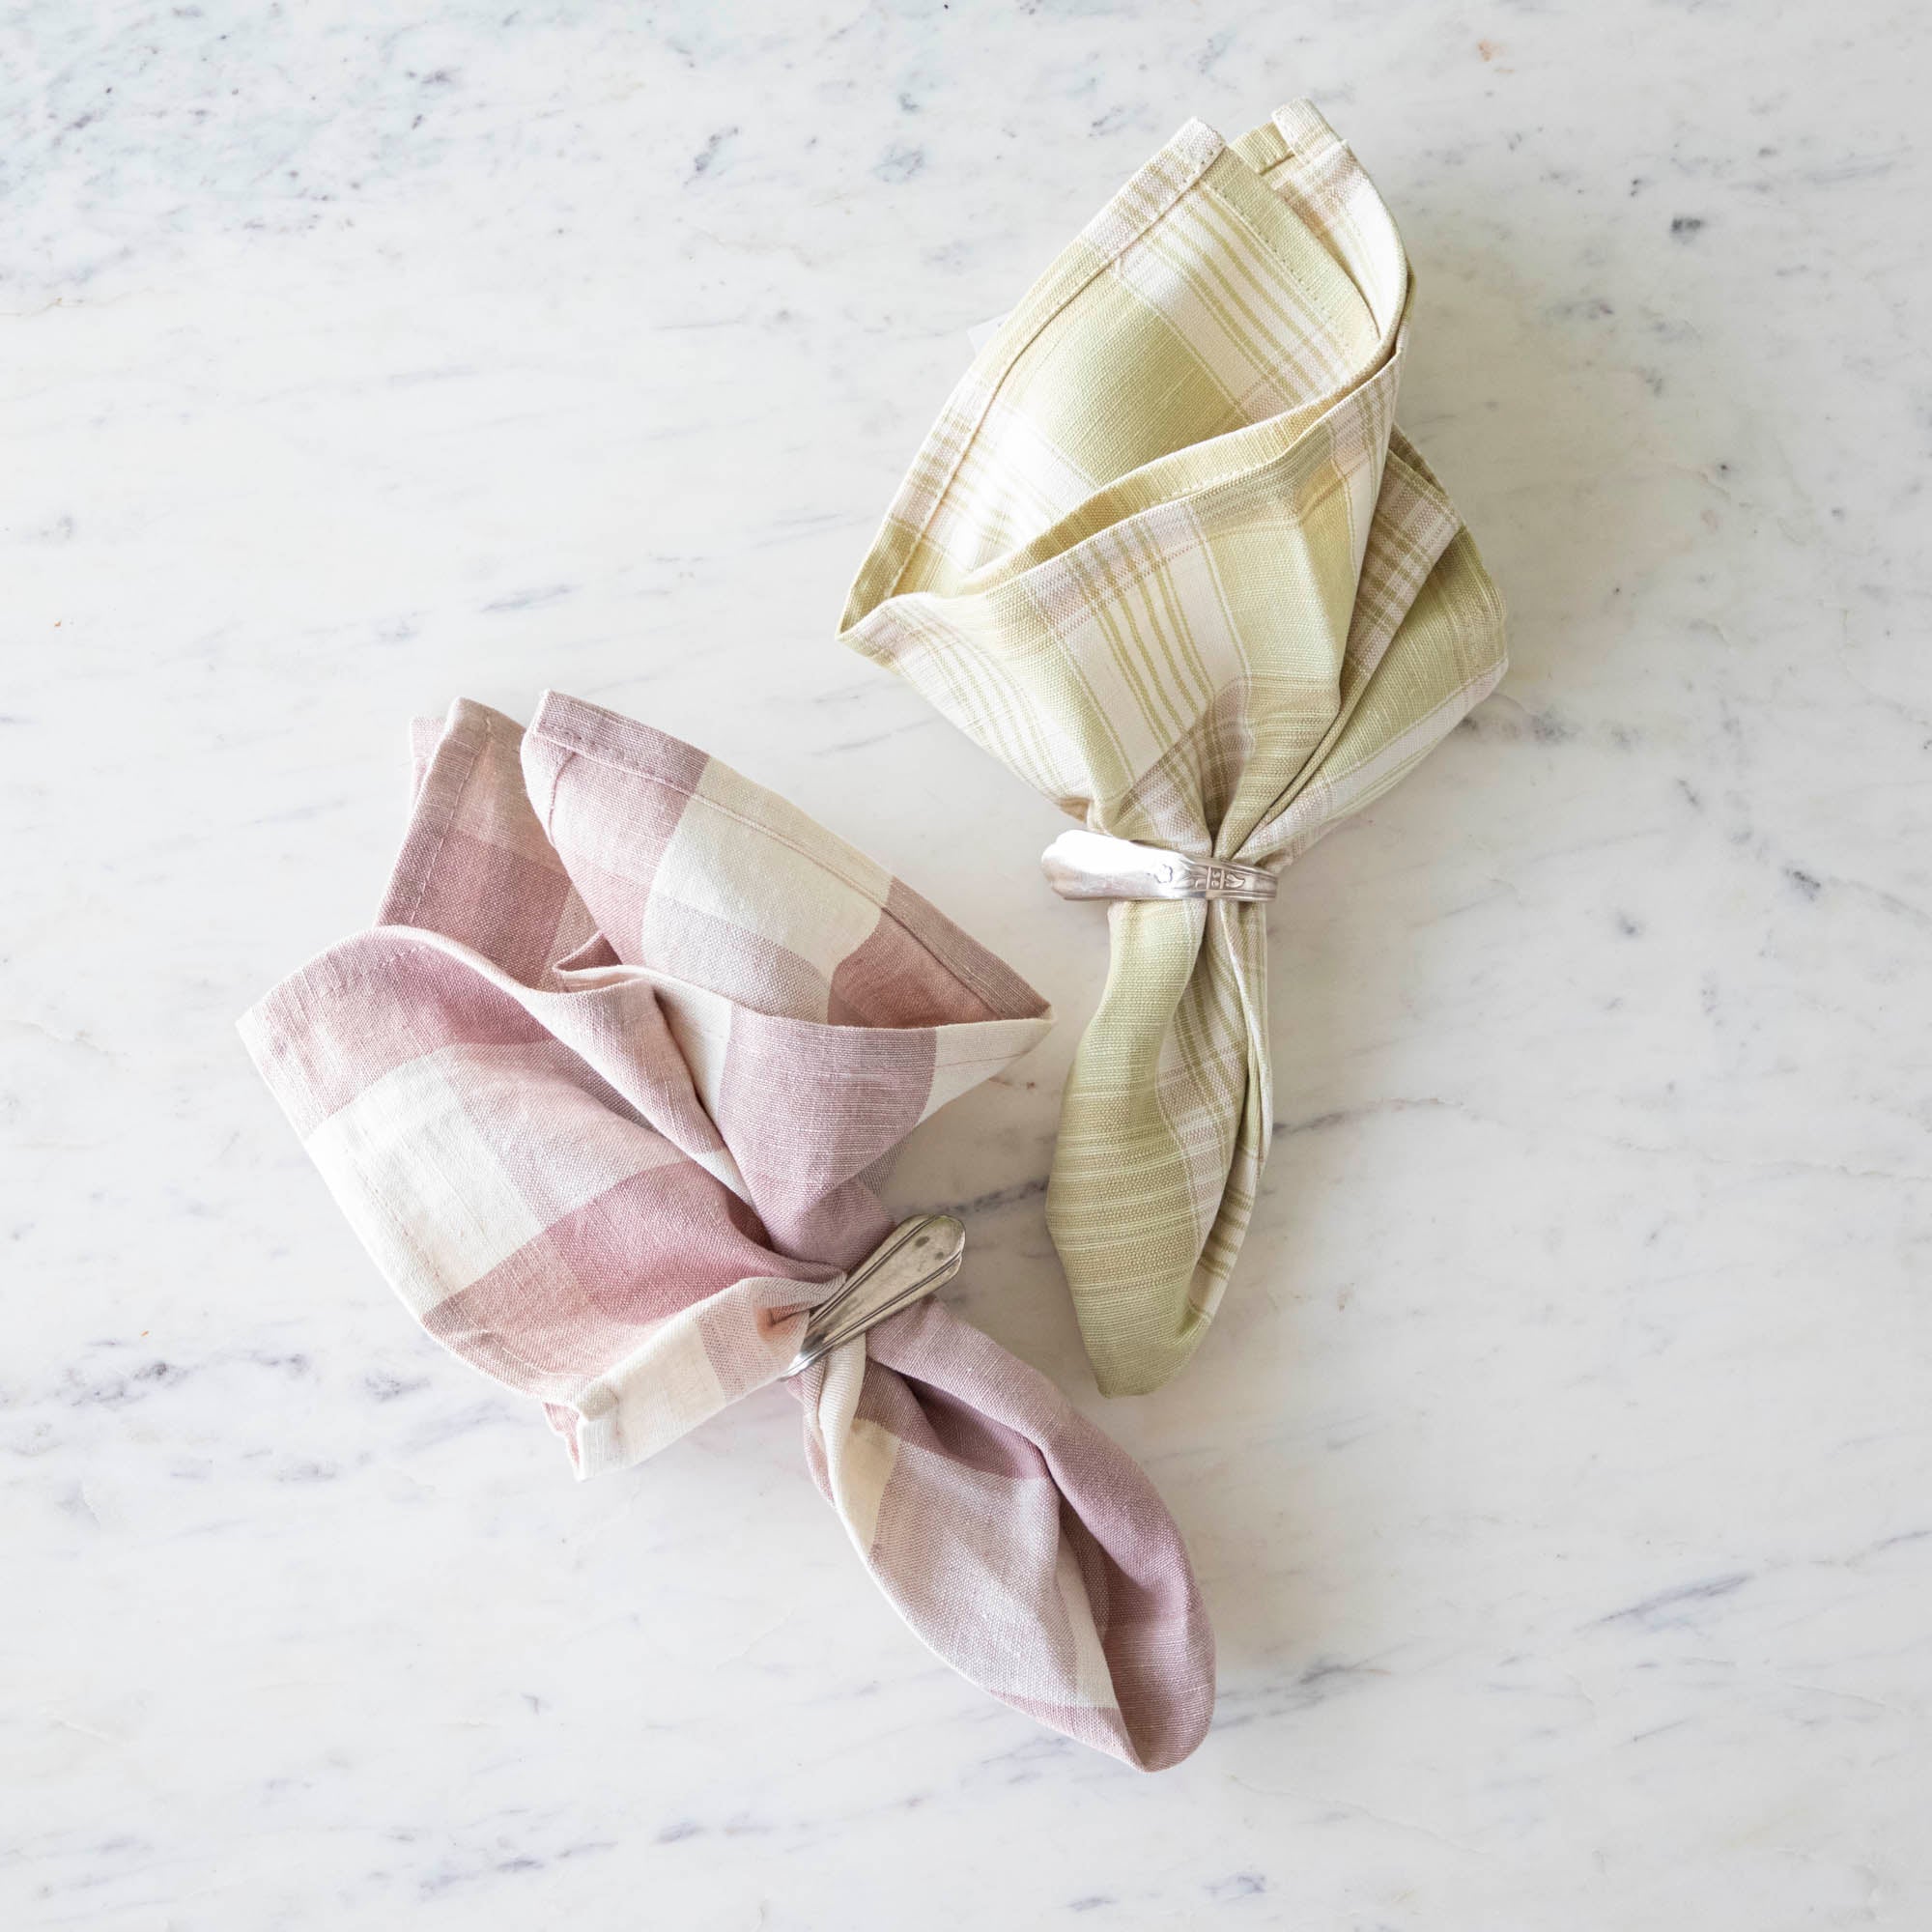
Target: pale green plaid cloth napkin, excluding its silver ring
(1170, 559)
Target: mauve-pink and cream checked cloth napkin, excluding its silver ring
(608, 1093)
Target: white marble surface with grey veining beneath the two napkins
(1558, 1473)
